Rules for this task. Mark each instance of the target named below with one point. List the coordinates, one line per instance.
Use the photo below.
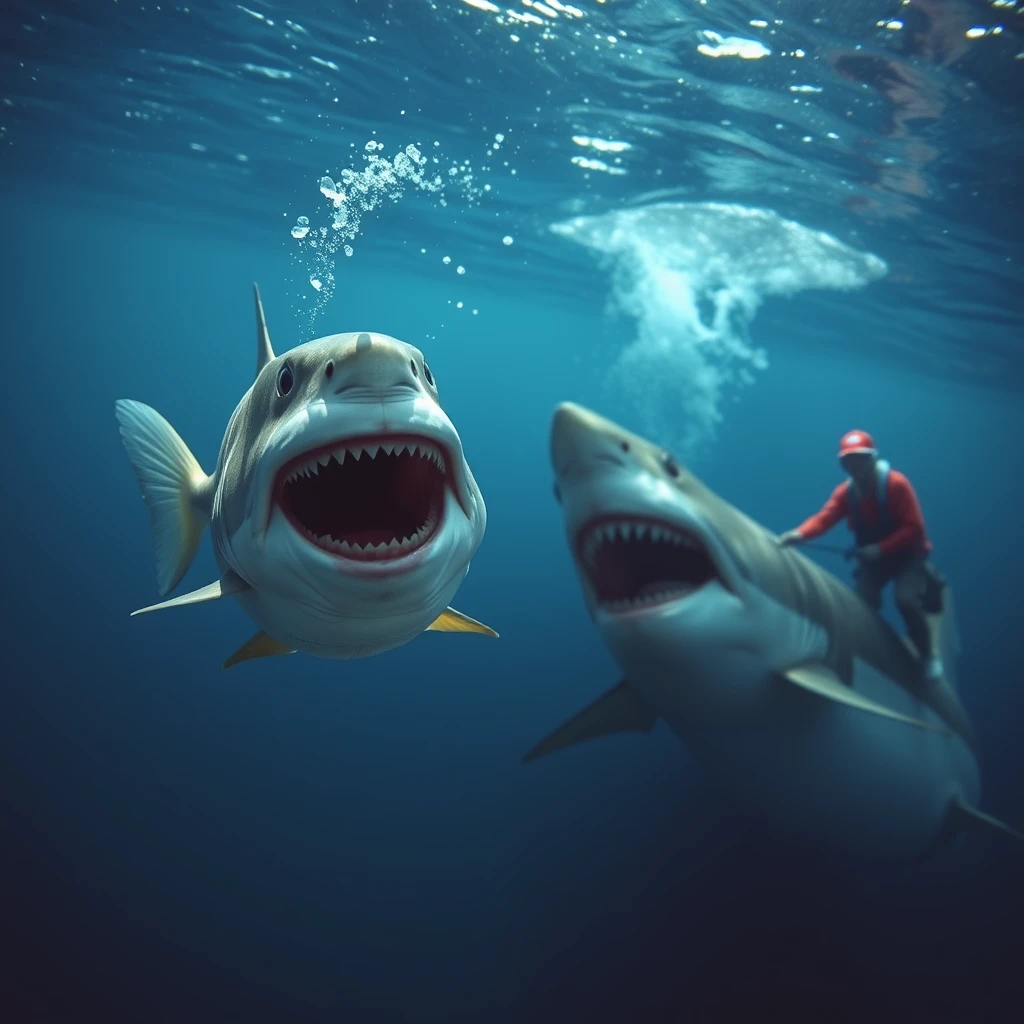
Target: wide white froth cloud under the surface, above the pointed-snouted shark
(693, 276)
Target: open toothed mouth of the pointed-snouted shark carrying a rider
(639, 563)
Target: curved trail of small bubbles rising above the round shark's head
(381, 182)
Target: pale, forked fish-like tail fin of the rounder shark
(174, 485)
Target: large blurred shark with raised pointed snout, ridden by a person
(796, 697)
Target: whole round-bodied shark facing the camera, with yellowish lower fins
(343, 511)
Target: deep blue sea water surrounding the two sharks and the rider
(358, 841)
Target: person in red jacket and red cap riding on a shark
(883, 511)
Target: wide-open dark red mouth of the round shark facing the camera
(367, 499)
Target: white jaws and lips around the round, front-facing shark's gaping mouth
(365, 490)
